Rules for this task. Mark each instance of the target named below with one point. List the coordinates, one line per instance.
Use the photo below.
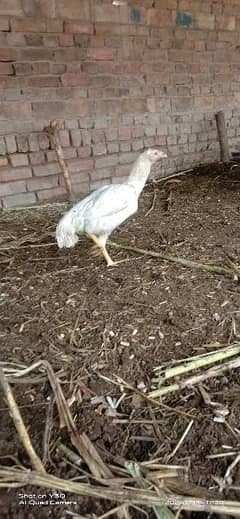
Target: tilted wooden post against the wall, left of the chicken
(52, 131)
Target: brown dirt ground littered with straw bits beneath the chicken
(88, 321)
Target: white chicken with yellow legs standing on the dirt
(106, 208)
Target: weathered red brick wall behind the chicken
(119, 79)
